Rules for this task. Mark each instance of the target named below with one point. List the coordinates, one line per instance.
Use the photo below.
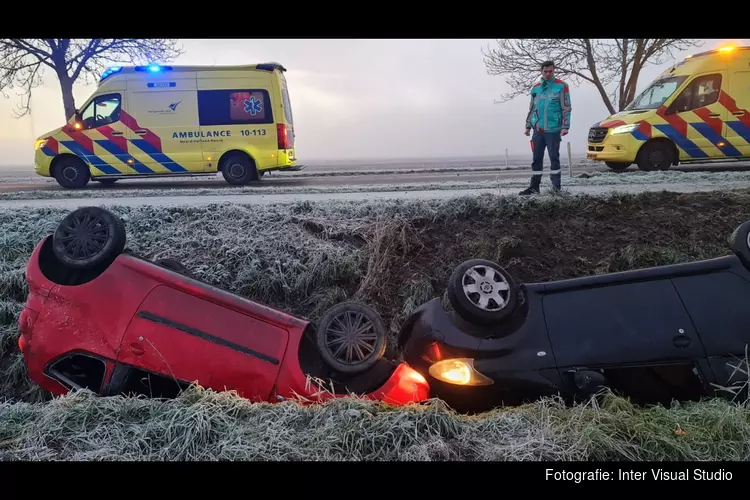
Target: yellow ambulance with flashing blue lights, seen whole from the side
(163, 121)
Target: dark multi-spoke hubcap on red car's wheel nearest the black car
(351, 338)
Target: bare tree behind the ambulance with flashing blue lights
(23, 61)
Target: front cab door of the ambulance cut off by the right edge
(696, 119)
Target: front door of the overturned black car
(638, 335)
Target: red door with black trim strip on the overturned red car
(179, 335)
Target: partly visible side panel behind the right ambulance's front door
(737, 102)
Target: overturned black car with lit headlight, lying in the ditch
(654, 335)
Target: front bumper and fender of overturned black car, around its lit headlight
(514, 369)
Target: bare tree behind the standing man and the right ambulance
(600, 62)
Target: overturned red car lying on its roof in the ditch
(102, 318)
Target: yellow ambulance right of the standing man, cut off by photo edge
(696, 111)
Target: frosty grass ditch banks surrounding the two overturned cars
(395, 255)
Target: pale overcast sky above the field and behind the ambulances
(361, 99)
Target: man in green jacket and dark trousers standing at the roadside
(549, 116)
